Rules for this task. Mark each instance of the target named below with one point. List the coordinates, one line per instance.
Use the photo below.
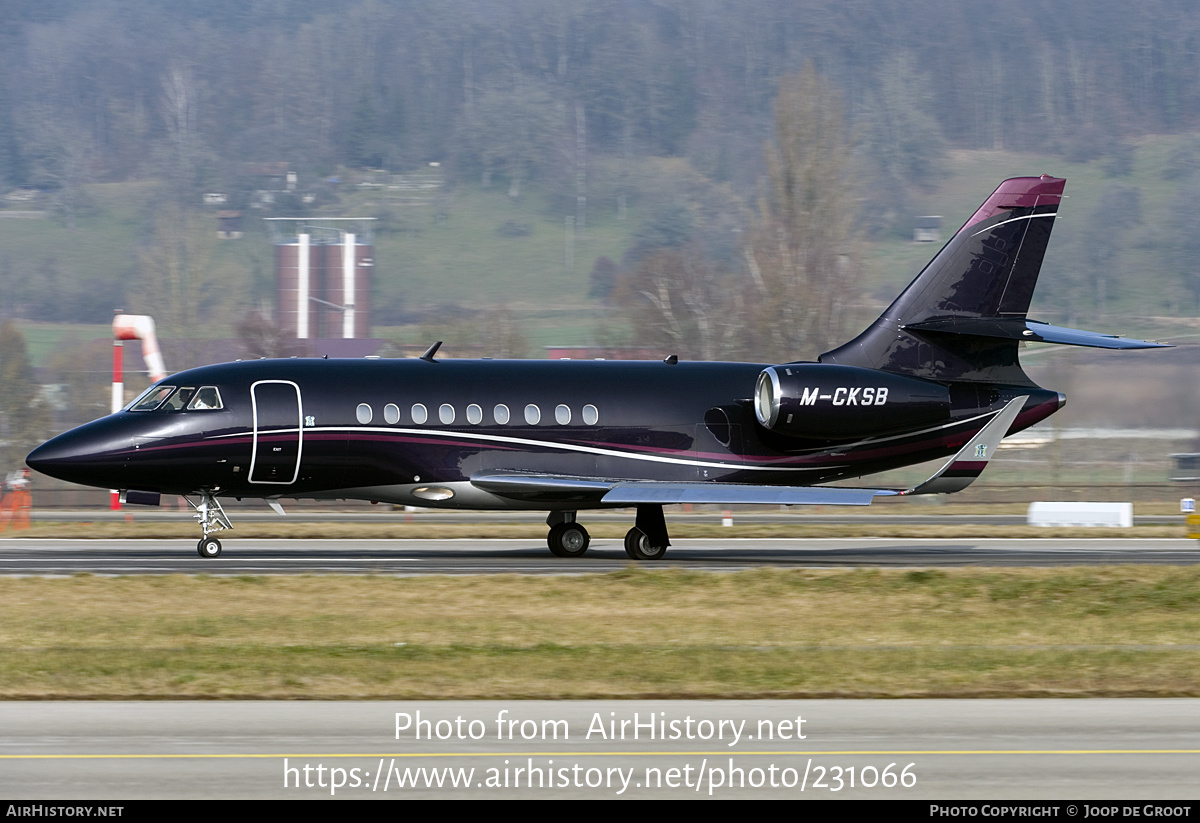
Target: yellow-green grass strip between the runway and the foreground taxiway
(970, 633)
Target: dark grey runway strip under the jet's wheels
(531, 557)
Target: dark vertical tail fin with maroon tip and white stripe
(982, 280)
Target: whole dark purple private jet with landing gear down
(935, 376)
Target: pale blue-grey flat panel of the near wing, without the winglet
(634, 494)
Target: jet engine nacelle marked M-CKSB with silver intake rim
(833, 403)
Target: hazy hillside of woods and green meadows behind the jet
(652, 129)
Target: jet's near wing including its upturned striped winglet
(957, 474)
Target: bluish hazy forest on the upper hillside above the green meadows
(113, 91)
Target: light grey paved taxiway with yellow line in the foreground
(994, 750)
